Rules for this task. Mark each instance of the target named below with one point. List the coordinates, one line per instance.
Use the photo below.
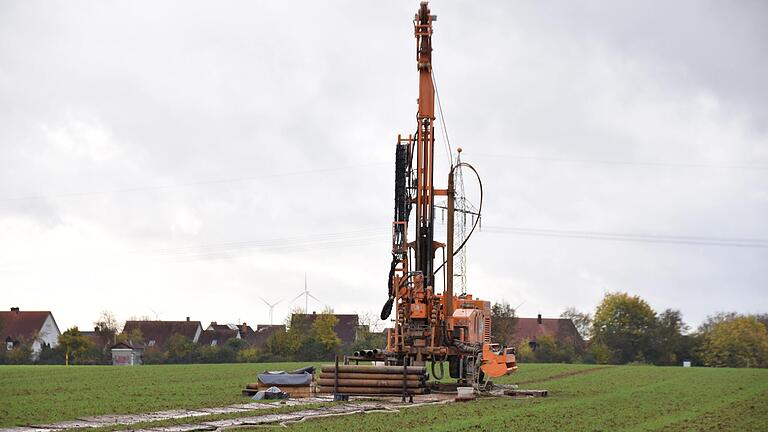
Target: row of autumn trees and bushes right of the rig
(625, 329)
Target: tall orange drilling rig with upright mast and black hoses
(431, 326)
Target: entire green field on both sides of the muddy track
(582, 397)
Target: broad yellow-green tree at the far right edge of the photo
(738, 342)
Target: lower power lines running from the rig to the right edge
(632, 237)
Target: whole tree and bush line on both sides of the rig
(623, 329)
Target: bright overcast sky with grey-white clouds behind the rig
(173, 159)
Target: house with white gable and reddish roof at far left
(37, 327)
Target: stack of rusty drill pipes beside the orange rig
(372, 380)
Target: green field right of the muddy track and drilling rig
(592, 398)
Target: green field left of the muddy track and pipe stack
(41, 394)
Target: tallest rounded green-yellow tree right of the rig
(624, 324)
